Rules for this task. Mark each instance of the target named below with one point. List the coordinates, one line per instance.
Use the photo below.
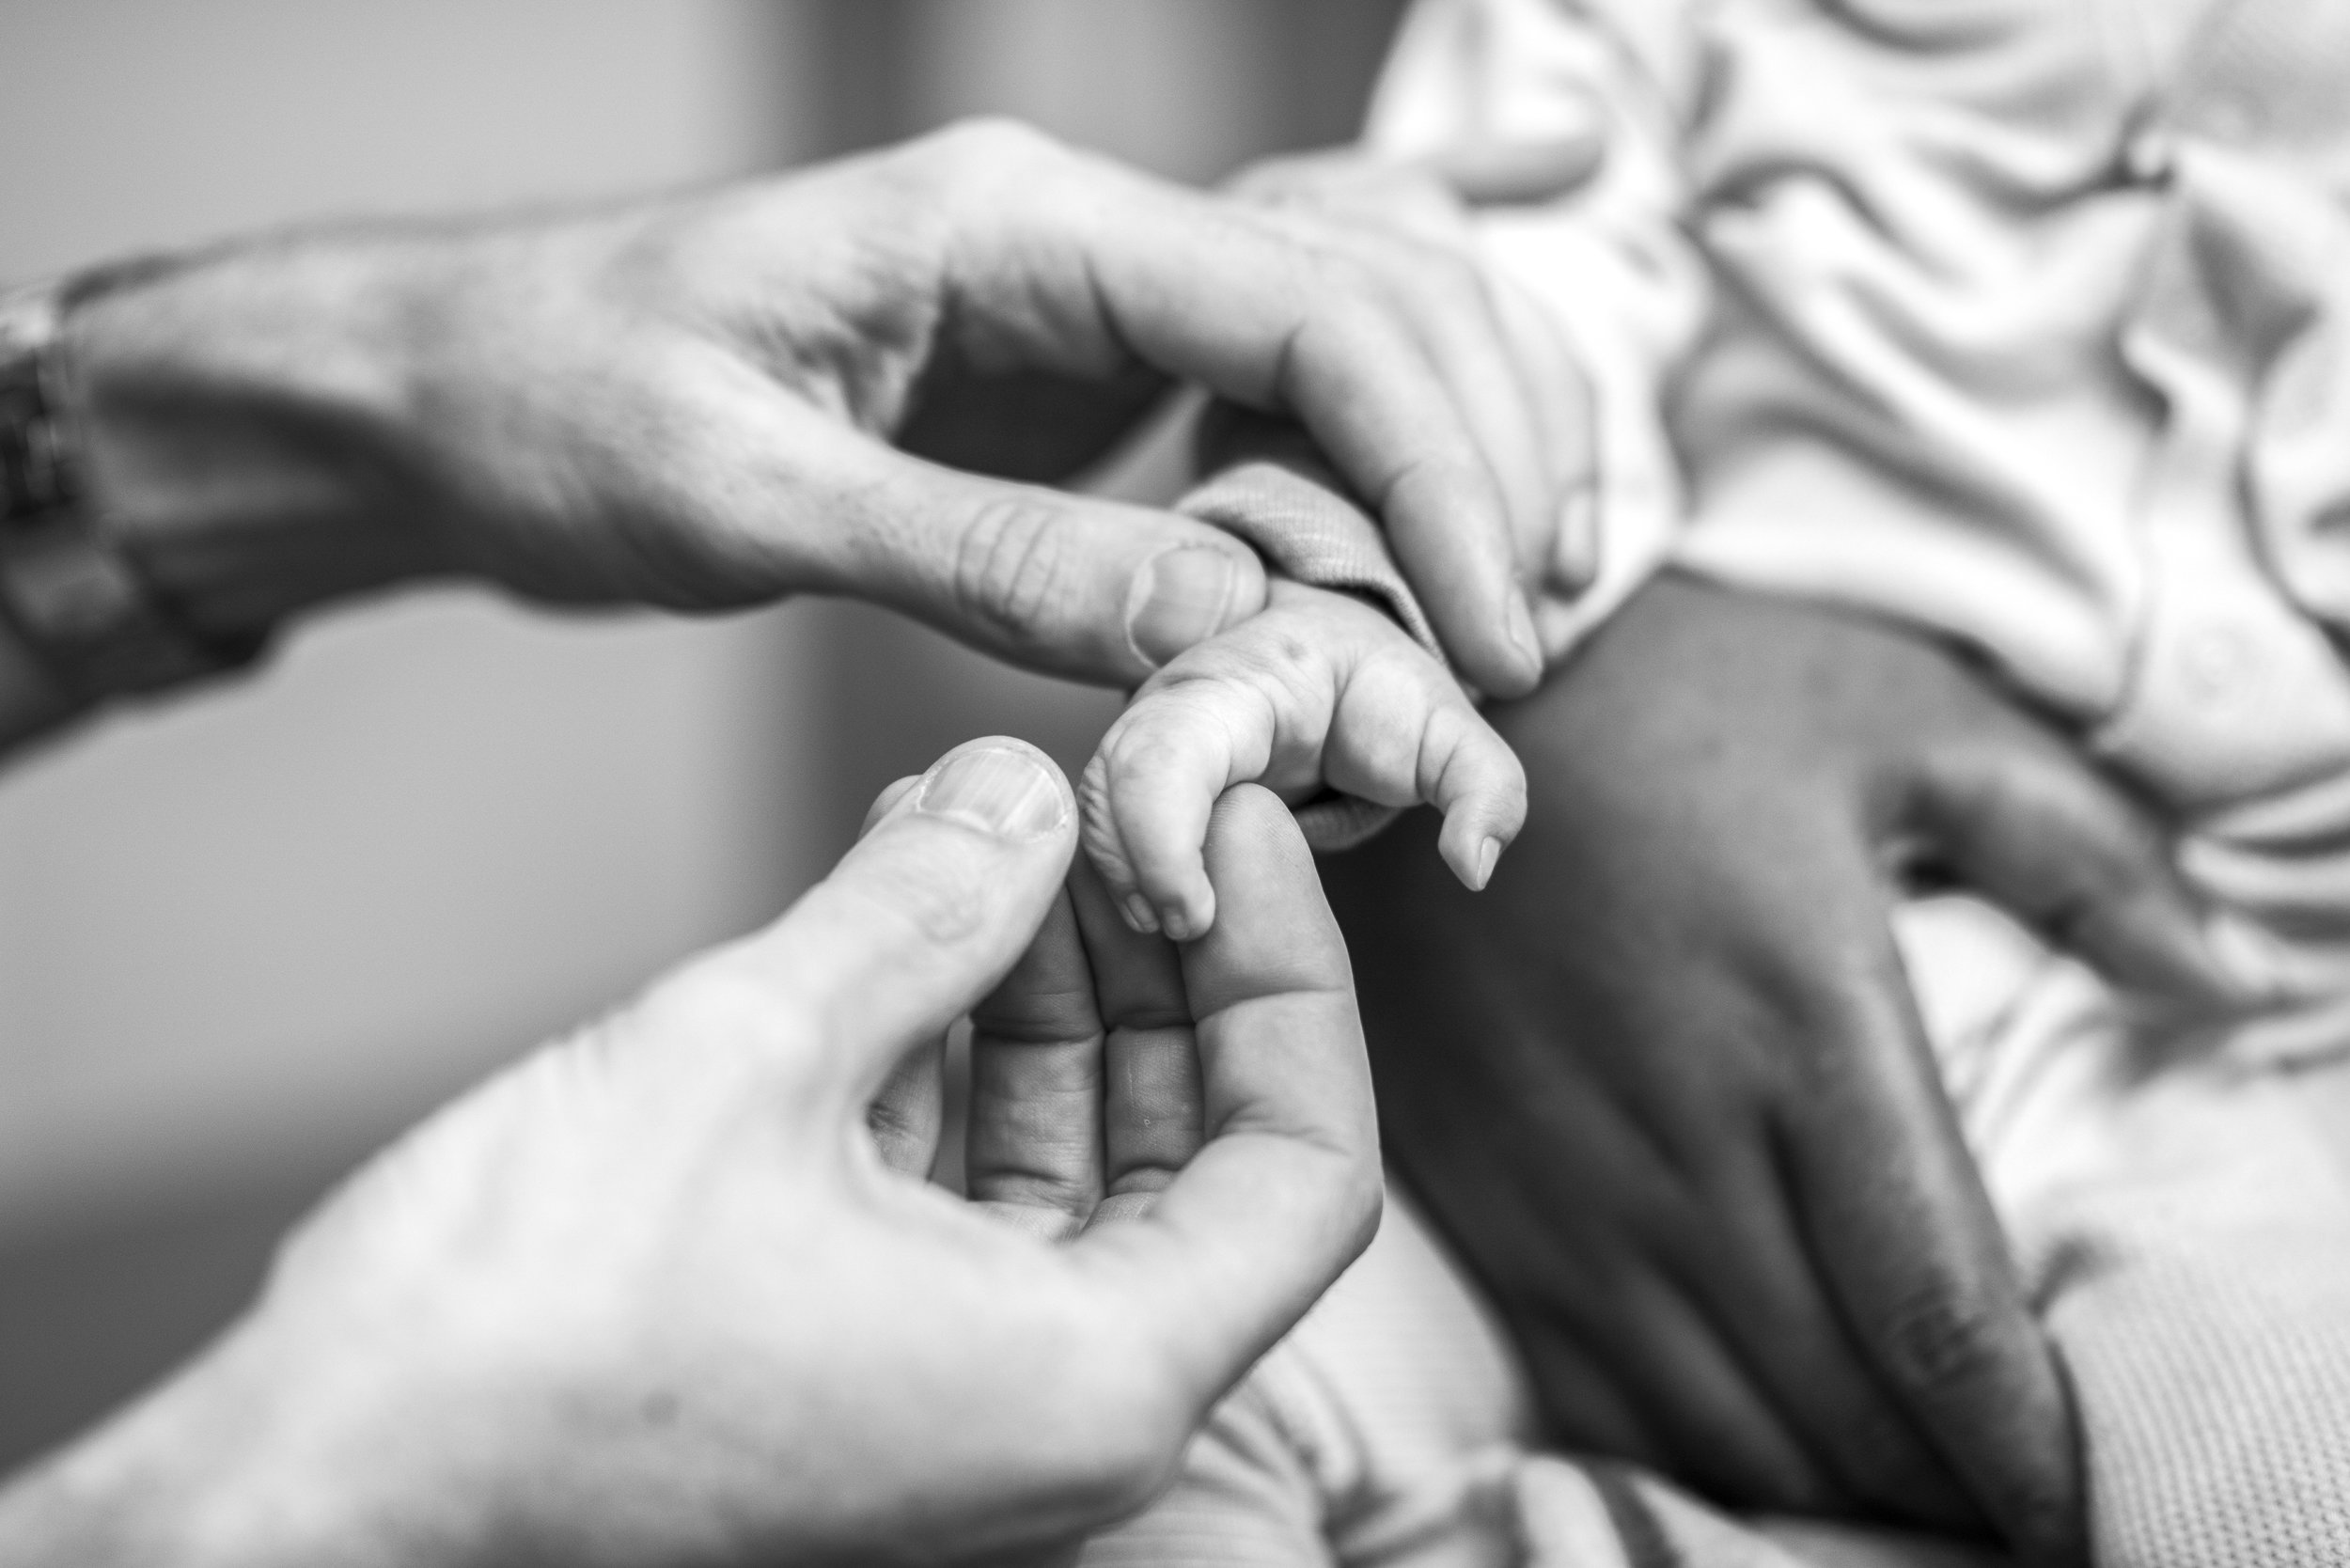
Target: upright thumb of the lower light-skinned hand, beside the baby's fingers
(920, 920)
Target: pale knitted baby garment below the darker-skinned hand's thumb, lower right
(2184, 1221)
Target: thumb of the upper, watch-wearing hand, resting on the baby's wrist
(1049, 579)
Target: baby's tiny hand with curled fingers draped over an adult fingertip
(1315, 692)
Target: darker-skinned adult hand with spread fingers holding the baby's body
(1667, 1090)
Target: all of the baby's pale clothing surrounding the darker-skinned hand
(2020, 323)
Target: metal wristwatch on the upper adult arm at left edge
(67, 587)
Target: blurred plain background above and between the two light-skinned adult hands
(253, 937)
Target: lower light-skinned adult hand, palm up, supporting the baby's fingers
(676, 1292)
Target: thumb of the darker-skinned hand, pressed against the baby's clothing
(2034, 826)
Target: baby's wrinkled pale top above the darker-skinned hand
(2020, 321)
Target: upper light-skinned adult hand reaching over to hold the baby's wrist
(694, 403)
